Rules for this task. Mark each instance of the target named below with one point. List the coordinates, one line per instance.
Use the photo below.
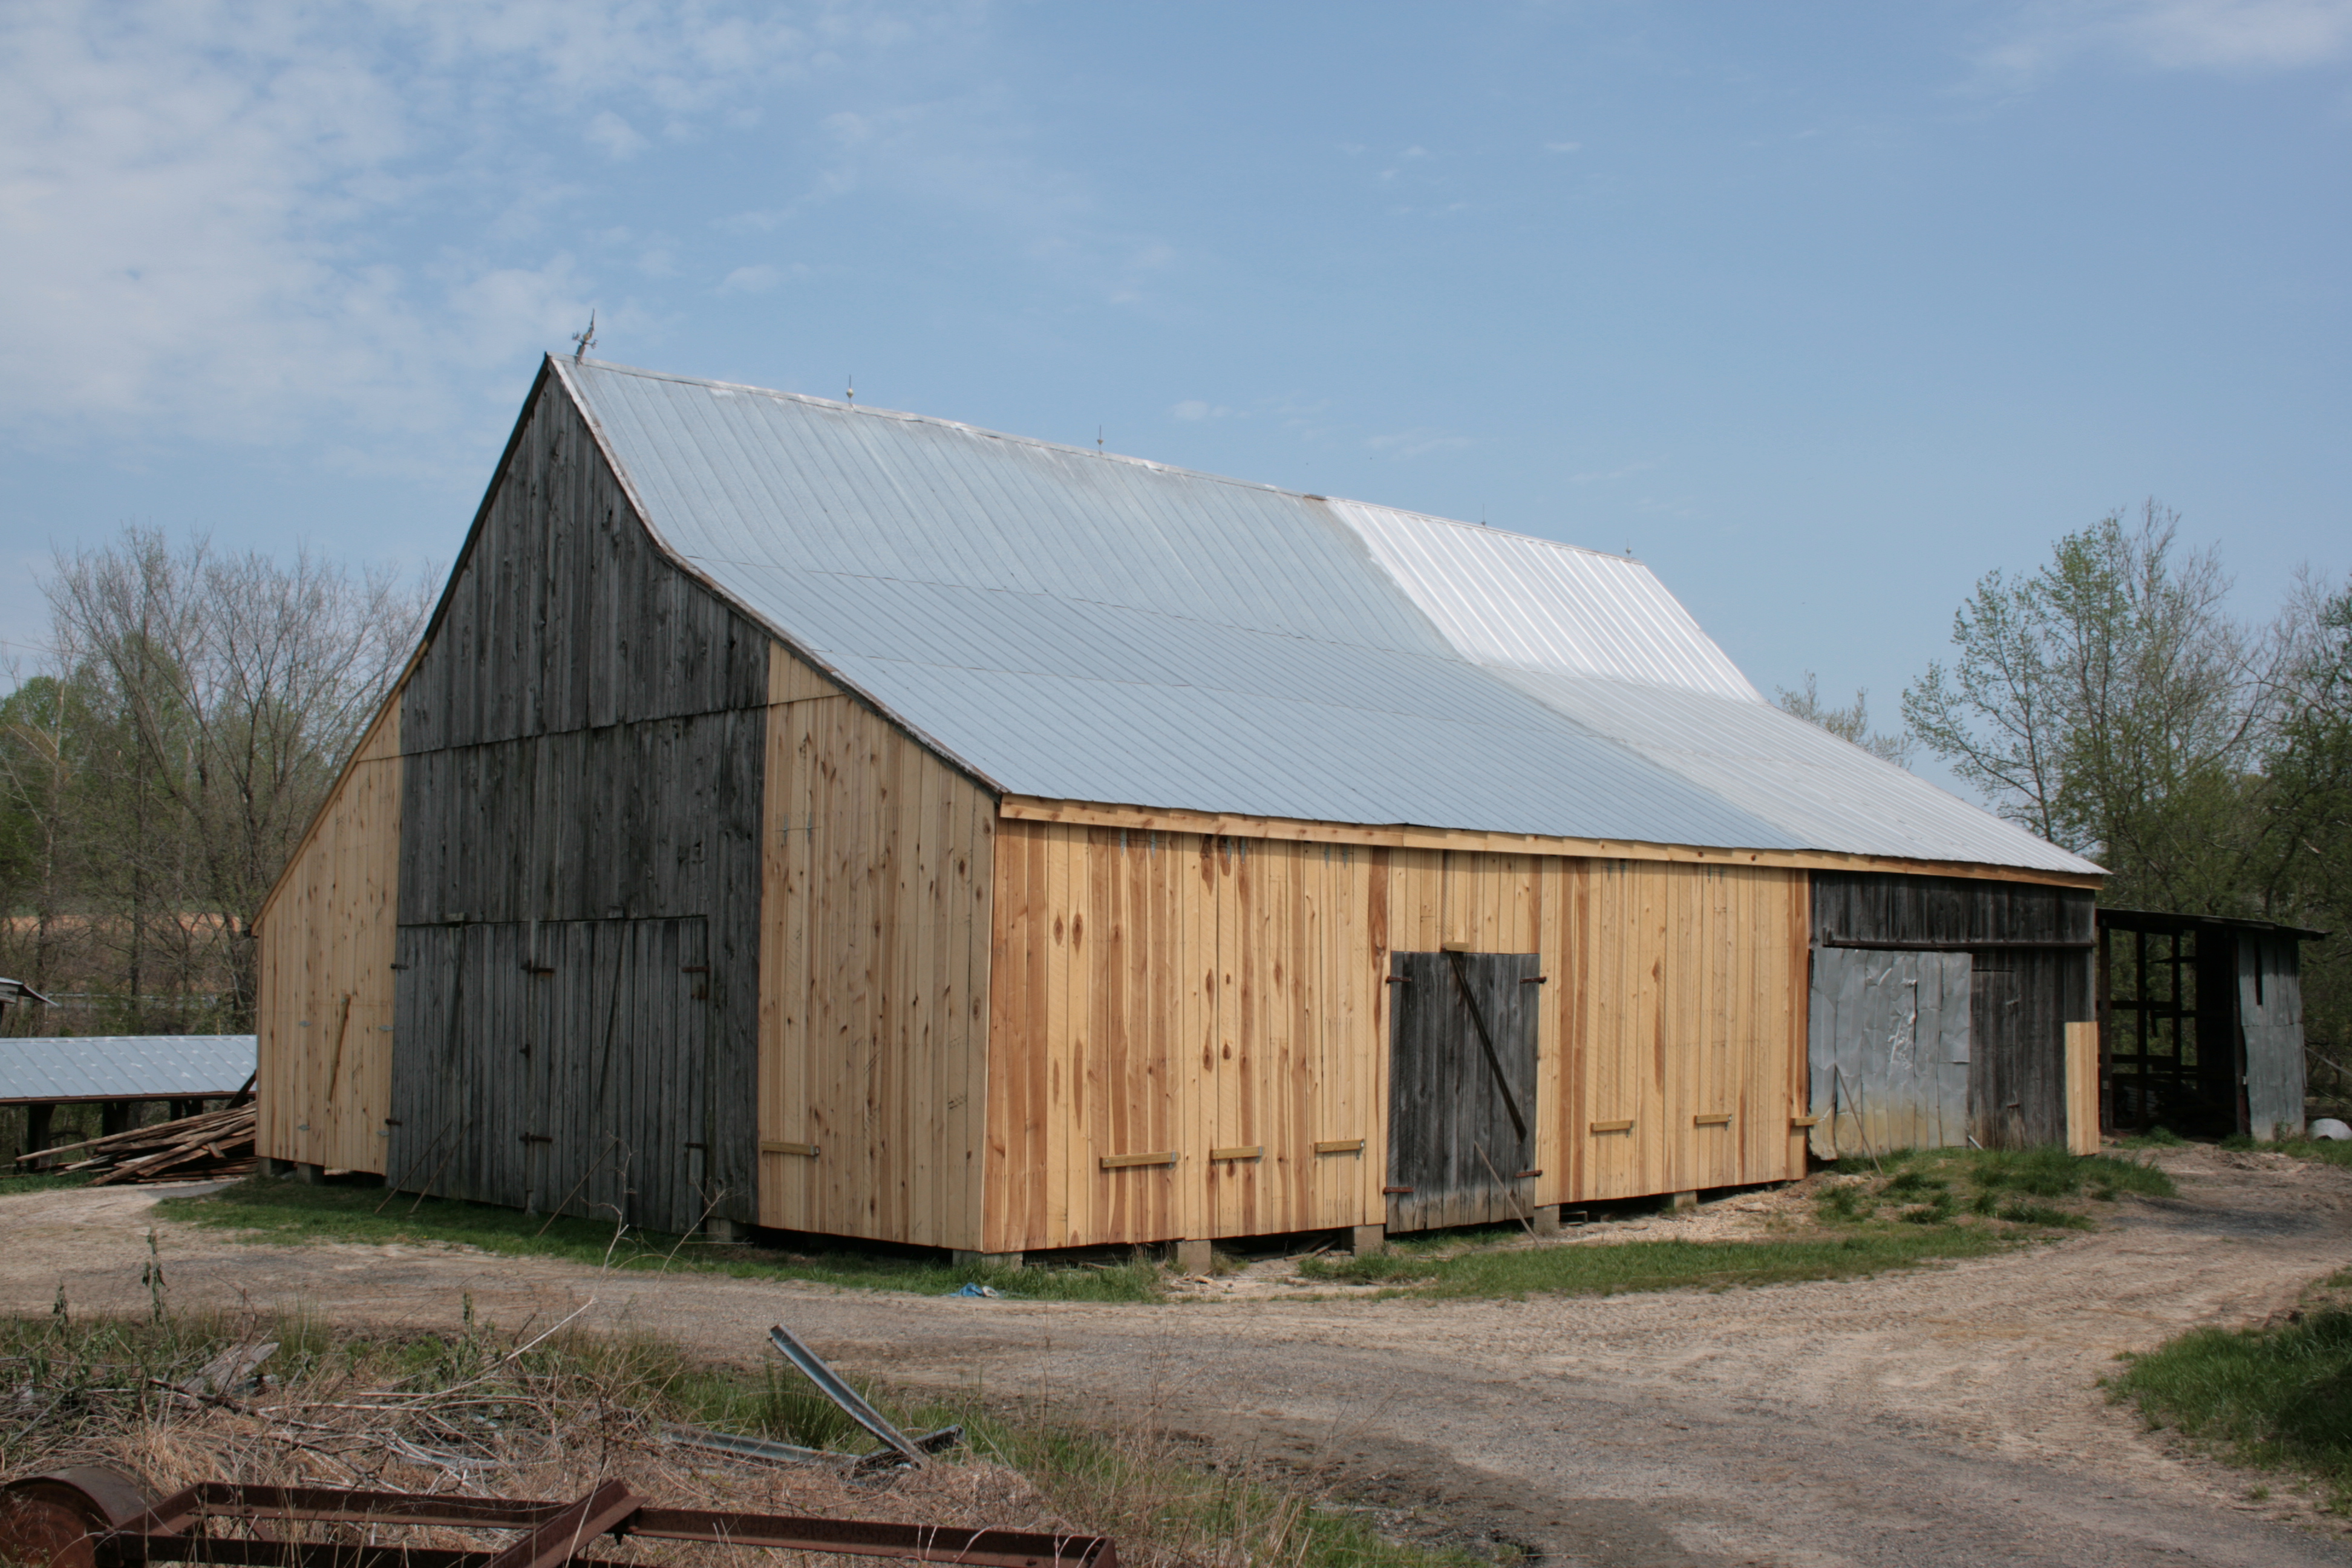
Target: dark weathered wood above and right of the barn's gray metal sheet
(2031, 974)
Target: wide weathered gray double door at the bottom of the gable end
(556, 1066)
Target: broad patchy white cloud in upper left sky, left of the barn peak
(203, 203)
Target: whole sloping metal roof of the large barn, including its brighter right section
(1083, 626)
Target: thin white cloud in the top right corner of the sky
(2177, 34)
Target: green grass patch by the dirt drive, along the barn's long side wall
(1899, 1212)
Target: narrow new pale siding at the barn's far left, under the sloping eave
(326, 1007)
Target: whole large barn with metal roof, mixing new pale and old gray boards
(860, 824)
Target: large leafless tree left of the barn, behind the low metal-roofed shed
(222, 697)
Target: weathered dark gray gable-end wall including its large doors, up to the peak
(582, 742)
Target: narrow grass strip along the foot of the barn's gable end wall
(293, 1212)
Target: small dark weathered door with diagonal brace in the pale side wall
(1462, 1087)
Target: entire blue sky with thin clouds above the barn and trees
(1822, 311)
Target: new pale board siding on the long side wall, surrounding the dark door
(1170, 993)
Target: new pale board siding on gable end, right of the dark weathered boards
(874, 974)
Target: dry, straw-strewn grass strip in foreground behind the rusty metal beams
(547, 1419)
